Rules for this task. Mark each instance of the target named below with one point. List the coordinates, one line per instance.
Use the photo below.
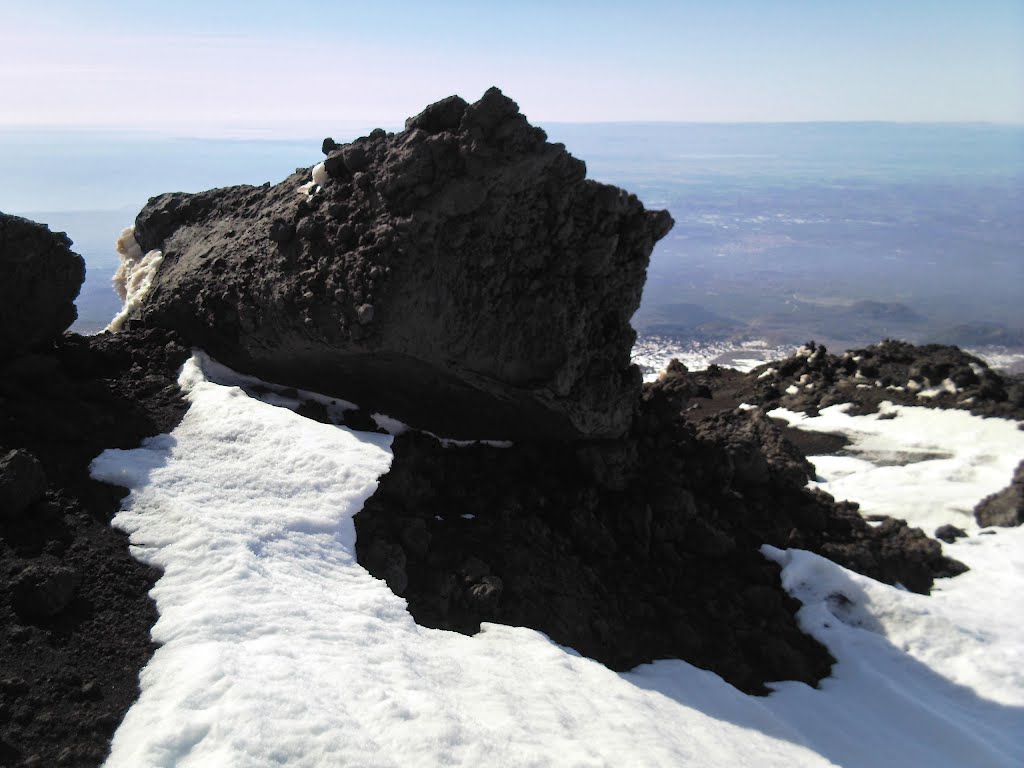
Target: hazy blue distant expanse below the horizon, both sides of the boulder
(844, 233)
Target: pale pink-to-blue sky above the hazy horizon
(298, 67)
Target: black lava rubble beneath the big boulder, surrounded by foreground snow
(630, 550)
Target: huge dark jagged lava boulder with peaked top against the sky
(462, 275)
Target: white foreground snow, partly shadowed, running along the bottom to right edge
(278, 649)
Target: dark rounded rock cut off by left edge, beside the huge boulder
(41, 278)
